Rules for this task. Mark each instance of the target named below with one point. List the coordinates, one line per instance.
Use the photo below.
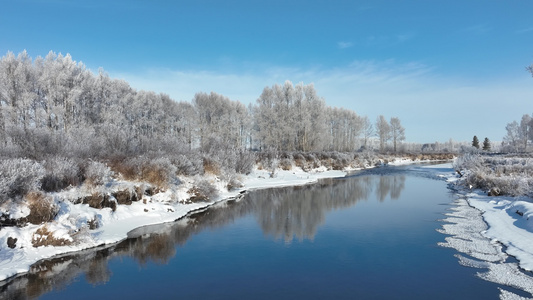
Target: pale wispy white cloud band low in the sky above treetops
(412, 91)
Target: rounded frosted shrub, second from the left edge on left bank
(61, 172)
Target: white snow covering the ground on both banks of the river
(509, 231)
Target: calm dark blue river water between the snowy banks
(367, 236)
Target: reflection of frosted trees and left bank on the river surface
(285, 213)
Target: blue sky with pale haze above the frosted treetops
(447, 69)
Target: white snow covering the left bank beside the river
(115, 225)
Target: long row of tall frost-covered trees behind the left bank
(55, 106)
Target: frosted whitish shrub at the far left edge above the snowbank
(18, 177)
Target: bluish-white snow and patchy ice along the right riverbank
(494, 234)
